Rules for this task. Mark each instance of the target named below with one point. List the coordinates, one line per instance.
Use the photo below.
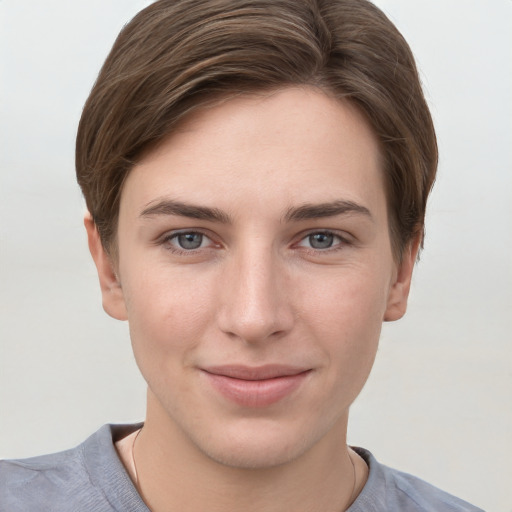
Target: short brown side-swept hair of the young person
(176, 55)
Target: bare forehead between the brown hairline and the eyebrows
(290, 146)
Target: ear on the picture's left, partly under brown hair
(111, 291)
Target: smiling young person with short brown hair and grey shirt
(256, 174)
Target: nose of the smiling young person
(255, 303)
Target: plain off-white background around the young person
(438, 403)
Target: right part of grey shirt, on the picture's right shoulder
(390, 489)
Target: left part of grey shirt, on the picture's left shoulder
(88, 477)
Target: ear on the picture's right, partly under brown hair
(399, 291)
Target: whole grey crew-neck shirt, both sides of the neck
(91, 478)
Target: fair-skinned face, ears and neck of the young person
(255, 270)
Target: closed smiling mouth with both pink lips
(255, 387)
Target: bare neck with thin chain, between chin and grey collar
(173, 474)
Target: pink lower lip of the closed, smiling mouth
(256, 393)
